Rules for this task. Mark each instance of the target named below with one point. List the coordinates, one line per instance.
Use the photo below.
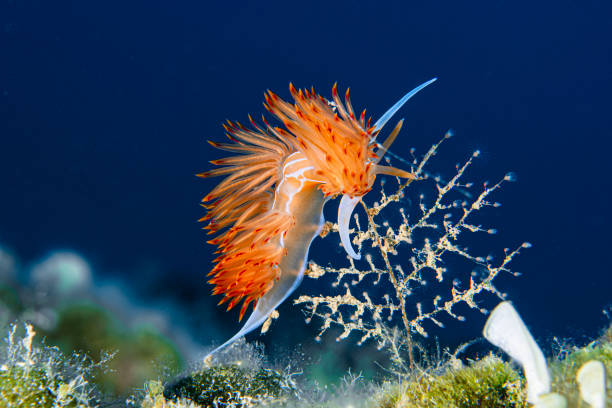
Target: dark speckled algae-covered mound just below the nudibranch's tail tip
(230, 384)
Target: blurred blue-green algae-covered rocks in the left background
(63, 304)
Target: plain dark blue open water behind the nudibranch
(105, 109)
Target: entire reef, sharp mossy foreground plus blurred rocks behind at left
(78, 351)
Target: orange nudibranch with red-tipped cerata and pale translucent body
(269, 207)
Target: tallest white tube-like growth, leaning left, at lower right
(506, 330)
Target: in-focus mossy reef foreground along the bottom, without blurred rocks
(34, 375)
